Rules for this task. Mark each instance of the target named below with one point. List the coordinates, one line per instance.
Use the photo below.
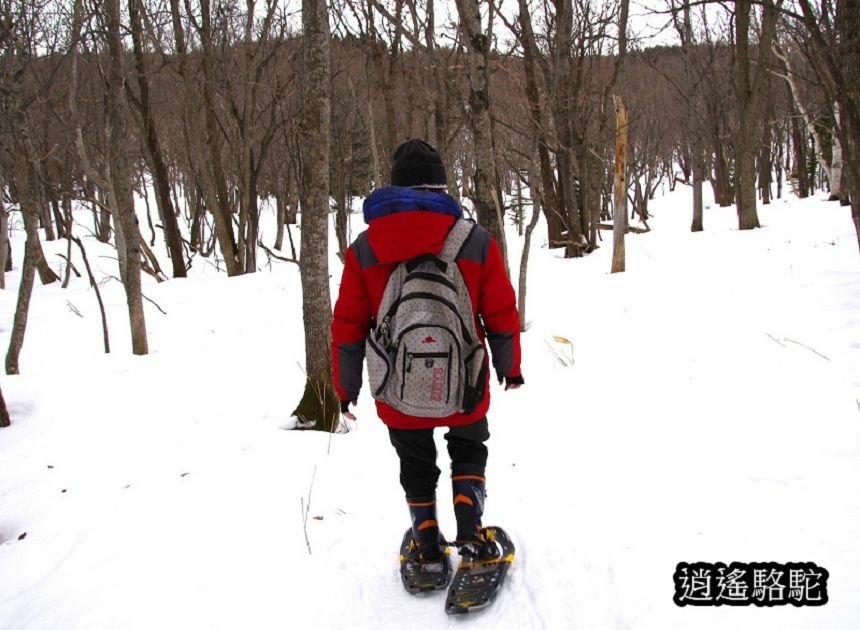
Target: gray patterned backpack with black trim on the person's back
(424, 357)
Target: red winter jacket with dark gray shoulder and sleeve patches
(403, 235)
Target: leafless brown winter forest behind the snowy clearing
(214, 105)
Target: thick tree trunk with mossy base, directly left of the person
(319, 403)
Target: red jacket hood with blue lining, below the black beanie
(405, 223)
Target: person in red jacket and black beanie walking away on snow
(398, 276)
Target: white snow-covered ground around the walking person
(710, 414)
